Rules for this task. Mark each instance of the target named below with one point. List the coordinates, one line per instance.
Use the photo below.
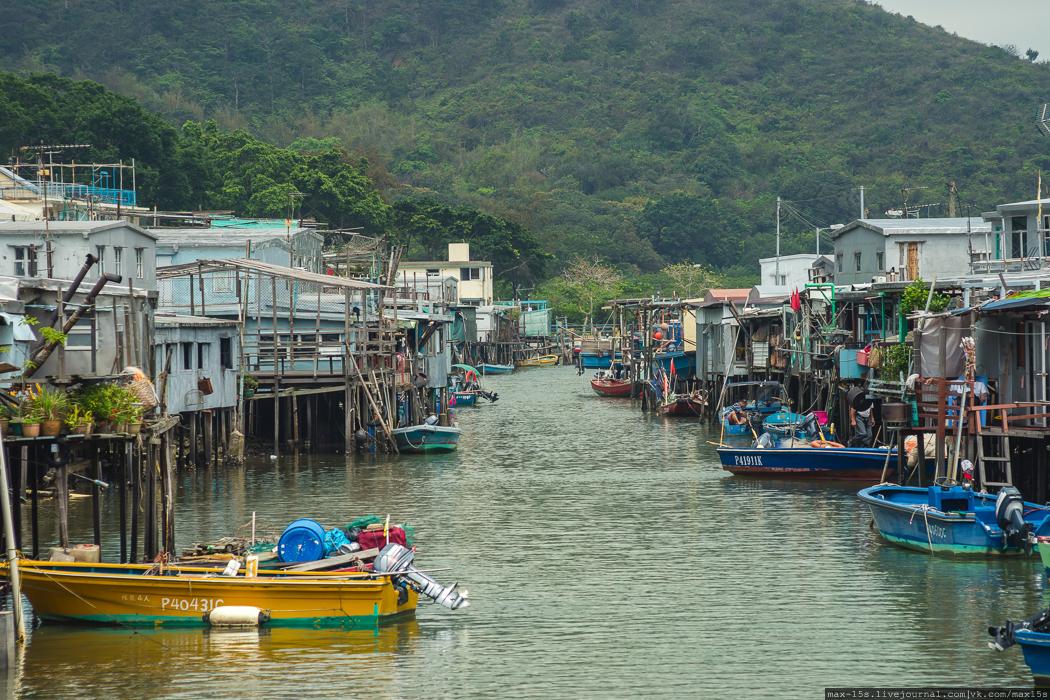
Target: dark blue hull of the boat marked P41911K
(859, 463)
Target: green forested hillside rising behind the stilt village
(640, 132)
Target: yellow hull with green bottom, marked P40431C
(121, 595)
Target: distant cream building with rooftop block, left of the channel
(473, 279)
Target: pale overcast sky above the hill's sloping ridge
(1024, 24)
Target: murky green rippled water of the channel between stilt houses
(606, 555)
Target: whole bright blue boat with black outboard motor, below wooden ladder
(955, 520)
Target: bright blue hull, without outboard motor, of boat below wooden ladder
(905, 516)
